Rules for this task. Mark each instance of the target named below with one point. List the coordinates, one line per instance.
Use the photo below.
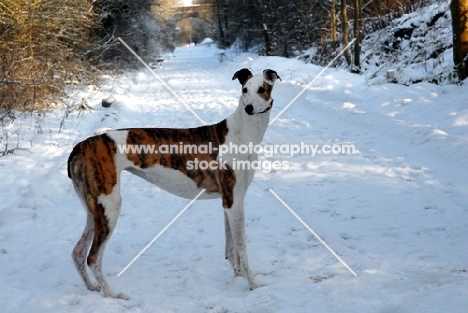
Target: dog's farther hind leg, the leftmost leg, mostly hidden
(81, 250)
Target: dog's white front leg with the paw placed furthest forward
(236, 218)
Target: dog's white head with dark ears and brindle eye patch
(256, 90)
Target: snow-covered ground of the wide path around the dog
(396, 211)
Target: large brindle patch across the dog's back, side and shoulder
(207, 179)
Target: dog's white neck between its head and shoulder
(247, 128)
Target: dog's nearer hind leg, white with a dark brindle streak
(105, 219)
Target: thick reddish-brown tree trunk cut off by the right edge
(459, 9)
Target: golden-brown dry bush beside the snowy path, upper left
(43, 46)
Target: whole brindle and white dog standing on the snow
(95, 165)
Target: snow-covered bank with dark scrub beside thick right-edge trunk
(415, 47)
